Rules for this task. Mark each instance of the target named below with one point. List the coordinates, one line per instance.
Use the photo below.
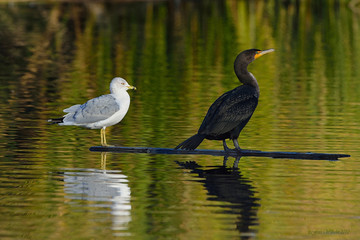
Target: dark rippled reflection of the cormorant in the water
(229, 186)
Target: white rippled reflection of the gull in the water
(109, 189)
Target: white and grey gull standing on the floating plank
(100, 112)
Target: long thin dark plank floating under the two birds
(232, 153)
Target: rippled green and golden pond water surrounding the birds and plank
(179, 55)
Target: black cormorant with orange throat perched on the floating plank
(229, 114)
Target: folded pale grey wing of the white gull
(96, 109)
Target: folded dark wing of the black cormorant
(230, 110)
